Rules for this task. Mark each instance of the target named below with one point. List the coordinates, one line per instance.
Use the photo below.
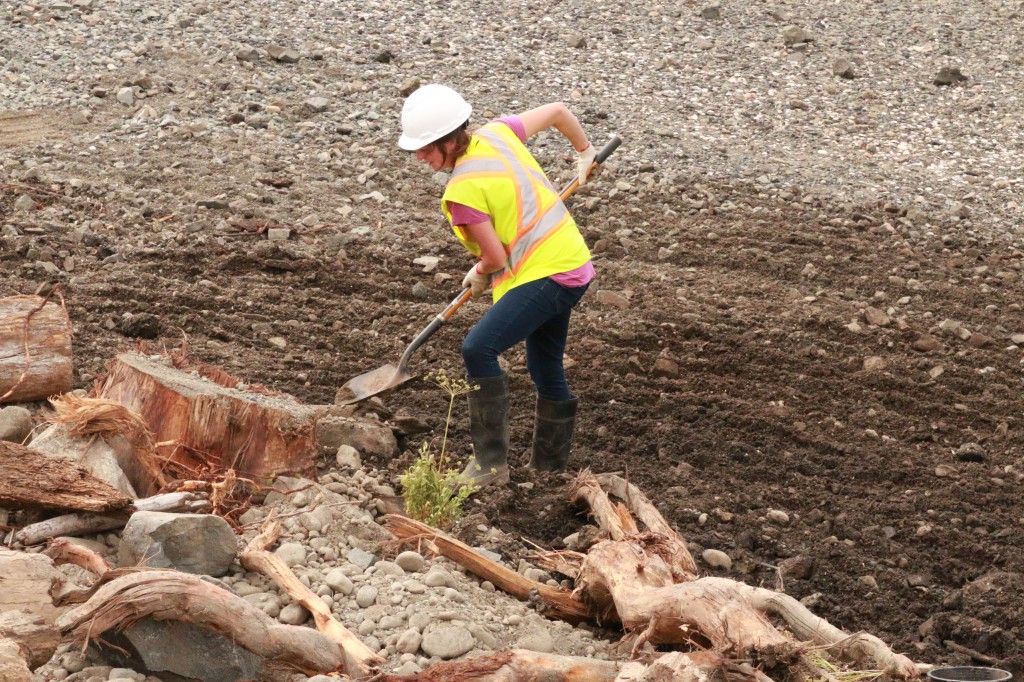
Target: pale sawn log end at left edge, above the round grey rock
(35, 350)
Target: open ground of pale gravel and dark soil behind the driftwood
(805, 339)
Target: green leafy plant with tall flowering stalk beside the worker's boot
(432, 489)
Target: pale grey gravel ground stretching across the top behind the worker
(730, 97)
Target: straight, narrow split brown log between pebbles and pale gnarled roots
(558, 603)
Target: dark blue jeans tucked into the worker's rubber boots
(538, 312)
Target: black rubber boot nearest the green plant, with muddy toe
(489, 427)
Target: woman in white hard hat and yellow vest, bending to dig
(529, 252)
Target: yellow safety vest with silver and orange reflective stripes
(499, 177)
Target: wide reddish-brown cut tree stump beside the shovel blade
(199, 423)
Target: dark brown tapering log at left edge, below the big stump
(30, 480)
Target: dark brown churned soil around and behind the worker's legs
(761, 402)
